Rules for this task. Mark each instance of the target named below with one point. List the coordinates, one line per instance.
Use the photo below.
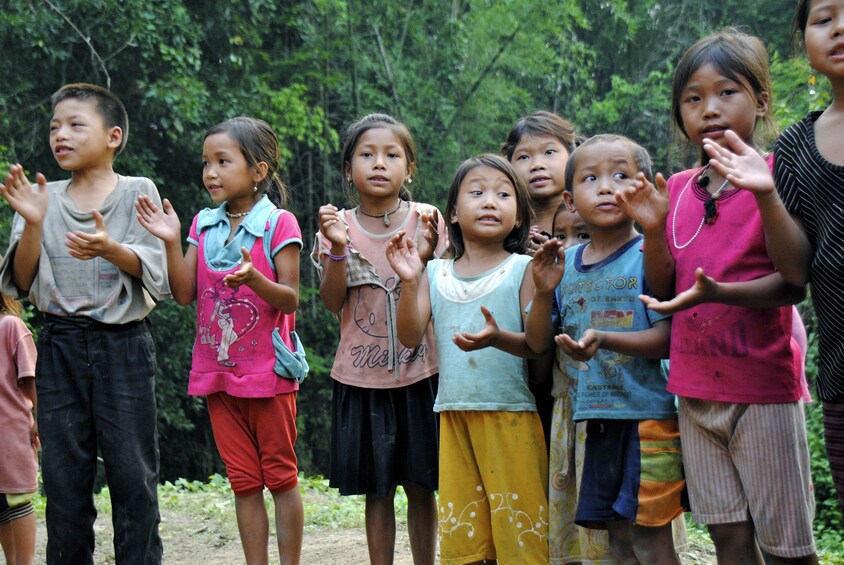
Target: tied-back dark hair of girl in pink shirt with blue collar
(258, 143)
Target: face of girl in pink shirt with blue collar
(226, 174)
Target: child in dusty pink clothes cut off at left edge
(19, 441)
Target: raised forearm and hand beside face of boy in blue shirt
(648, 205)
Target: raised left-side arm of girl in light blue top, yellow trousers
(413, 312)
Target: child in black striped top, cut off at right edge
(803, 217)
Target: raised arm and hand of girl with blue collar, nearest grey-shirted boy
(164, 224)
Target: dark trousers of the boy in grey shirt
(96, 388)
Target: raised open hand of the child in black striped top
(743, 167)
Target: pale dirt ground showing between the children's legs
(192, 539)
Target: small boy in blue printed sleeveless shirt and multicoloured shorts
(613, 346)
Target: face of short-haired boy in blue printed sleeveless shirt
(601, 170)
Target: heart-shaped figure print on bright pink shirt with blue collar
(224, 319)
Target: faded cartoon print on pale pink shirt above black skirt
(374, 323)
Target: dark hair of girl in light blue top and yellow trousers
(516, 241)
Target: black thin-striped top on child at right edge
(812, 189)
